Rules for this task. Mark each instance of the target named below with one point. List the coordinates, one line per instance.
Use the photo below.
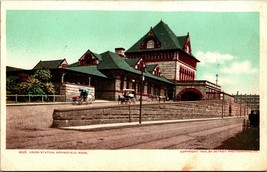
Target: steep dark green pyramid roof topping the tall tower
(164, 34)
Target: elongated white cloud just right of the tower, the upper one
(213, 57)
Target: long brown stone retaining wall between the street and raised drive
(150, 112)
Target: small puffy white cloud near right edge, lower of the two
(243, 67)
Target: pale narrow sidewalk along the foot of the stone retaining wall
(134, 124)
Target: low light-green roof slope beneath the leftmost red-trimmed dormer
(91, 70)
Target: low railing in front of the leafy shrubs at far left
(17, 98)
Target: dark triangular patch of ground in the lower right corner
(246, 140)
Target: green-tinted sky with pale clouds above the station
(226, 43)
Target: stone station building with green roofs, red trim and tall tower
(162, 60)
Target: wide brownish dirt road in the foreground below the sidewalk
(187, 135)
